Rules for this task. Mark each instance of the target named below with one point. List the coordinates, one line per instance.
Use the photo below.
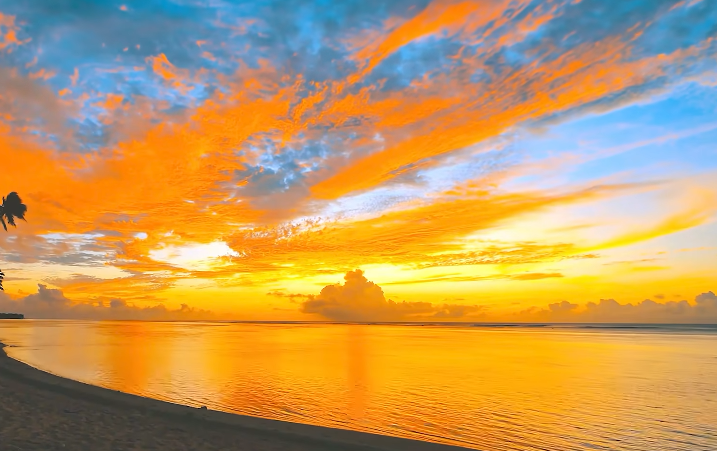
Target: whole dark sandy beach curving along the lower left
(41, 411)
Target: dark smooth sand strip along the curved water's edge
(300, 436)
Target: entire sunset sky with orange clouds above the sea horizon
(361, 160)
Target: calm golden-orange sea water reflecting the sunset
(492, 388)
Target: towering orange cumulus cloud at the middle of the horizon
(359, 299)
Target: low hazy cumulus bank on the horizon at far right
(702, 310)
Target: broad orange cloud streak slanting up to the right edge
(577, 77)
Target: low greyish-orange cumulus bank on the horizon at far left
(49, 303)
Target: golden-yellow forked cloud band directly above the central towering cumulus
(426, 235)
